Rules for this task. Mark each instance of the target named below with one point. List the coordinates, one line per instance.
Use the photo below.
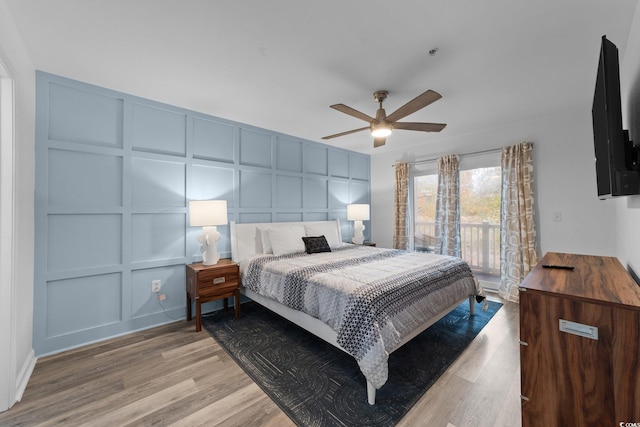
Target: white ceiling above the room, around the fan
(279, 64)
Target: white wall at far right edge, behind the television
(628, 208)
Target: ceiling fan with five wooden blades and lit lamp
(382, 125)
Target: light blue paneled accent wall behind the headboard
(114, 173)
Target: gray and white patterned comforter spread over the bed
(371, 297)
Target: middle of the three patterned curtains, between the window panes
(447, 227)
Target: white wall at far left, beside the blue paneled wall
(16, 351)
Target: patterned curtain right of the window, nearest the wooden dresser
(518, 252)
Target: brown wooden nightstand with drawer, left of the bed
(212, 282)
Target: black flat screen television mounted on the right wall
(616, 157)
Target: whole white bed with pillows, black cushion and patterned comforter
(366, 301)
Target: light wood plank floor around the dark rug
(173, 376)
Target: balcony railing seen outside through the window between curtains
(480, 244)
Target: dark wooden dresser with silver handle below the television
(588, 374)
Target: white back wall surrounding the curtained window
(564, 173)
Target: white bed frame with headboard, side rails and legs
(244, 243)
